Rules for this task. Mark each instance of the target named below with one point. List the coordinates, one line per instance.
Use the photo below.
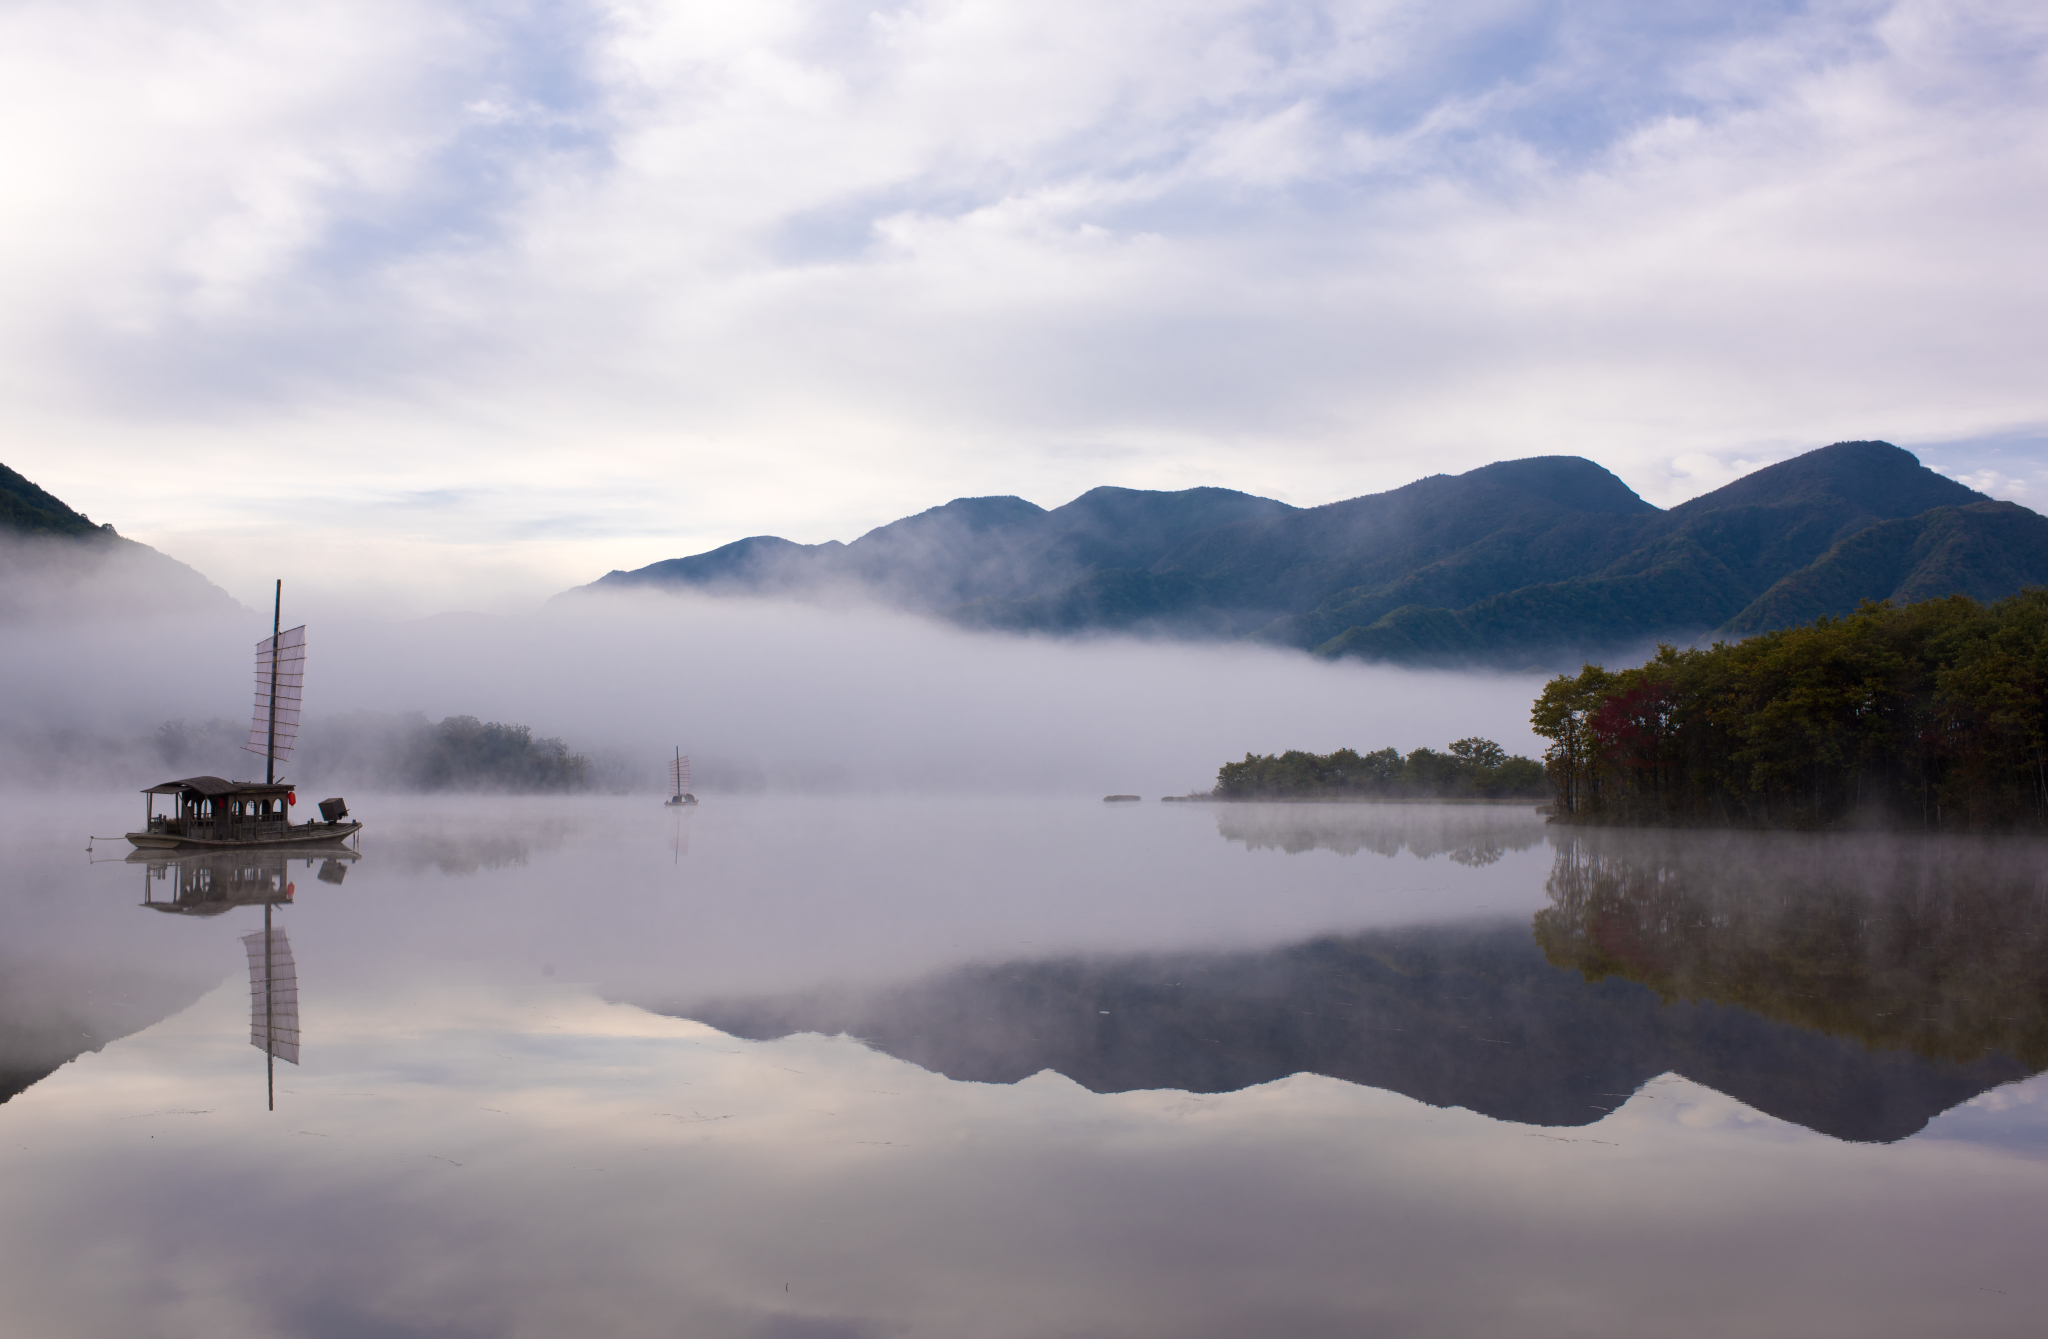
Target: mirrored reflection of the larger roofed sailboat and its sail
(218, 881)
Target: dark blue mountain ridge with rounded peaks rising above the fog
(1506, 564)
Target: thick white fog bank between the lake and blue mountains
(761, 695)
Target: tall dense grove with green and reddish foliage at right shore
(1928, 716)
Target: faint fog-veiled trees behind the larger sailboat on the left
(394, 752)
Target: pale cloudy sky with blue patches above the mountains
(443, 306)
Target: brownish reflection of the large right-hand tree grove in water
(1928, 945)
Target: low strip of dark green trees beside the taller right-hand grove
(1469, 769)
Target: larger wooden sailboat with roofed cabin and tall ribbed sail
(226, 814)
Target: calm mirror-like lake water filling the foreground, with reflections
(876, 1068)
